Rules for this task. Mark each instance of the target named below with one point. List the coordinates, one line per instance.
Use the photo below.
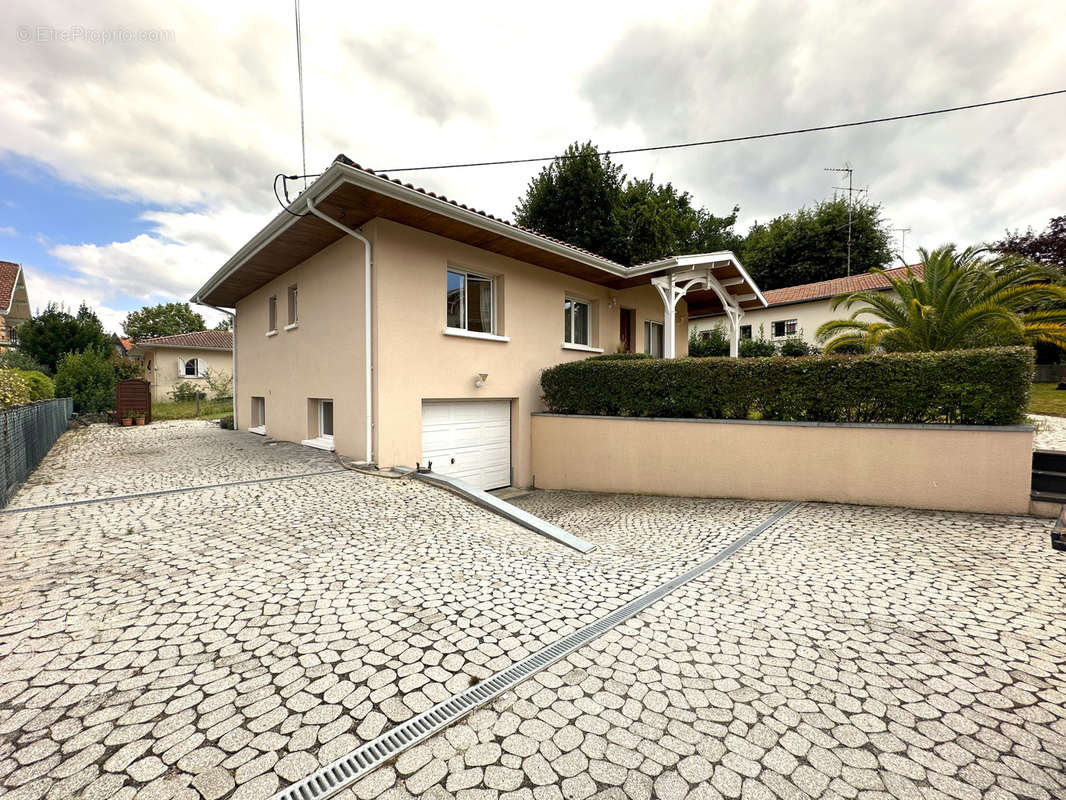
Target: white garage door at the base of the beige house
(470, 440)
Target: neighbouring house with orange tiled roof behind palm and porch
(798, 312)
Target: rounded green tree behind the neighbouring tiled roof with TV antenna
(812, 245)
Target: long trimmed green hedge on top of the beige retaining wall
(989, 387)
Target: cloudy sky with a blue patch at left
(140, 140)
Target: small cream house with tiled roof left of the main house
(170, 361)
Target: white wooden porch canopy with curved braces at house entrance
(709, 282)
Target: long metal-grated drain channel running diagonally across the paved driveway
(348, 770)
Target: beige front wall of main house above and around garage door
(417, 361)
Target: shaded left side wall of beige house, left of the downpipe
(322, 358)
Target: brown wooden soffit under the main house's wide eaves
(356, 206)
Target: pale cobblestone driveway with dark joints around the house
(224, 643)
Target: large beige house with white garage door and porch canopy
(399, 327)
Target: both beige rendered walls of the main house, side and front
(414, 359)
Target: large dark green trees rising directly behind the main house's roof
(584, 199)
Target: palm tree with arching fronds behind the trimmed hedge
(963, 300)
